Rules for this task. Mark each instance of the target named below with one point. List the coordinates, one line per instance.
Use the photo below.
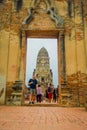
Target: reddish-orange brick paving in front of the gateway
(42, 118)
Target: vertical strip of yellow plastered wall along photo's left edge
(4, 47)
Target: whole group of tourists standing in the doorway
(36, 94)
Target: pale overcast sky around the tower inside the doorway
(33, 47)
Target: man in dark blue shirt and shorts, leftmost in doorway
(32, 84)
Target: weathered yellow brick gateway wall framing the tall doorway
(68, 25)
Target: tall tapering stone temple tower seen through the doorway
(43, 72)
